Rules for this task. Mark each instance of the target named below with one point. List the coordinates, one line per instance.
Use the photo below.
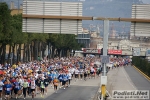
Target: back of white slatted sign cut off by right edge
(140, 29)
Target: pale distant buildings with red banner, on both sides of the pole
(122, 47)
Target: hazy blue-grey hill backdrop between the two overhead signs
(102, 8)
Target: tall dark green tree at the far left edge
(5, 31)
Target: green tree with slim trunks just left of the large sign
(18, 37)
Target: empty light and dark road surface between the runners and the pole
(79, 90)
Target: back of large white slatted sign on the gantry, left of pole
(41, 17)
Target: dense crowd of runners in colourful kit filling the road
(33, 78)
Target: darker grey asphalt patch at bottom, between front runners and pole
(75, 93)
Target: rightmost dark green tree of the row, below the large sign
(63, 43)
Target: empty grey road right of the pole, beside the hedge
(127, 78)
